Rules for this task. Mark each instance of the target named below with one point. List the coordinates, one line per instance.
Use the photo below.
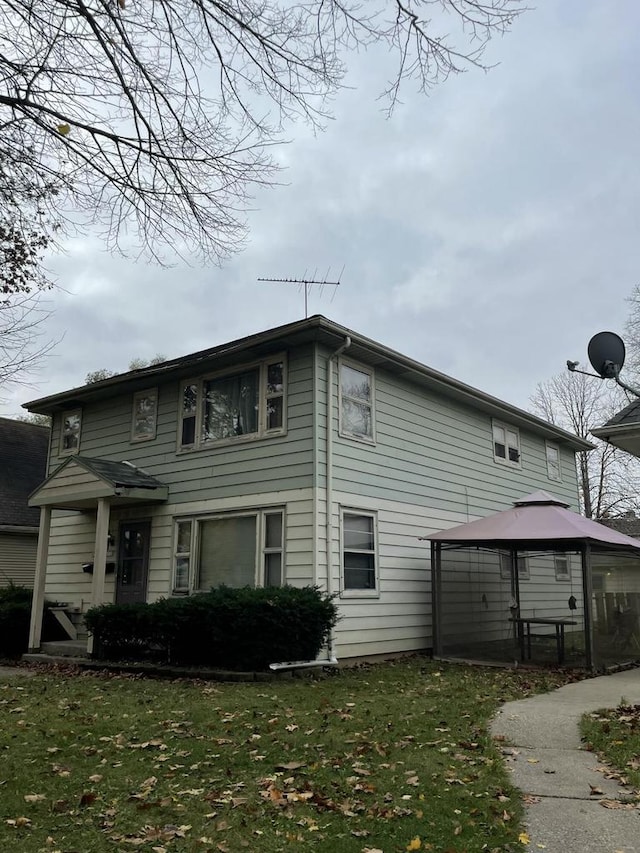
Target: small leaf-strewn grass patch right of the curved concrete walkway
(614, 733)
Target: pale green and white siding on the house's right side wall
(431, 467)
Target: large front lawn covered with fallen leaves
(386, 758)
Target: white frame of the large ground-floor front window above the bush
(262, 550)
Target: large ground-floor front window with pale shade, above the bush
(241, 549)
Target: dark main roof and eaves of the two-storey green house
(312, 329)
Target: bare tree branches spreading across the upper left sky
(158, 117)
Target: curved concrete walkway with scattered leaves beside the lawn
(544, 752)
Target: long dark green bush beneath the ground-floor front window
(240, 629)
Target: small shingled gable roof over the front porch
(81, 481)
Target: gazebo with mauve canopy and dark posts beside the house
(538, 583)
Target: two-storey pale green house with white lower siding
(306, 454)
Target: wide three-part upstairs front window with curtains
(227, 407)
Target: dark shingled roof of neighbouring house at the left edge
(23, 464)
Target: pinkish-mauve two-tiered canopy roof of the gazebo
(537, 520)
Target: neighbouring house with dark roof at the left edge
(23, 464)
